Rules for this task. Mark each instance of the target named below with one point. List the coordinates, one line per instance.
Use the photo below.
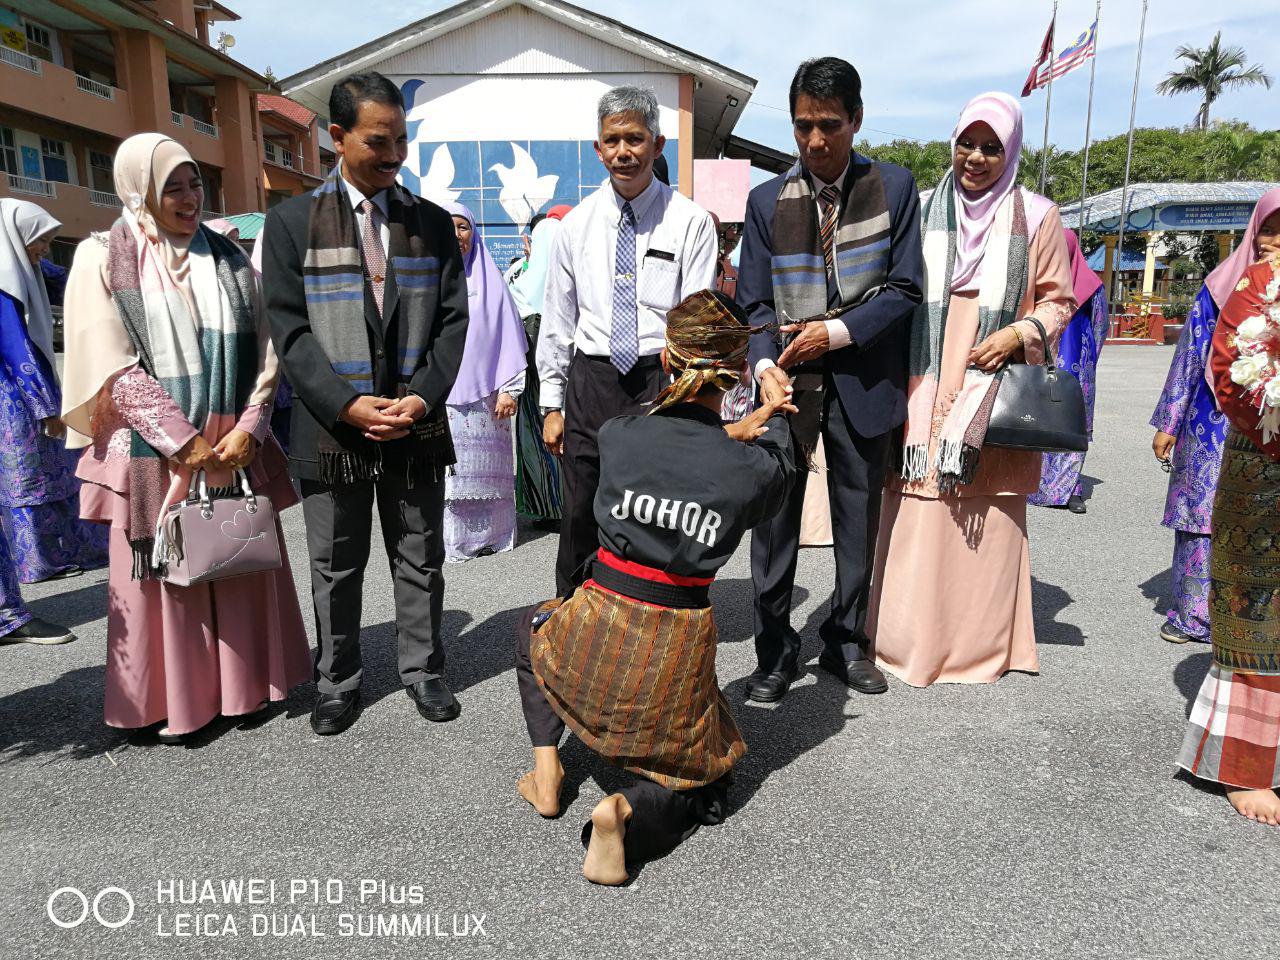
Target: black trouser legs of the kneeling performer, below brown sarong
(661, 819)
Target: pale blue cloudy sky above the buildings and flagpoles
(920, 60)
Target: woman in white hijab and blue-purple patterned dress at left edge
(39, 491)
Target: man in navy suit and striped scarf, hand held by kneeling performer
(836, 239)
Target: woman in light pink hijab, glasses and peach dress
(953, 593)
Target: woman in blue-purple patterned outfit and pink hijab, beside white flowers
(1191, 431)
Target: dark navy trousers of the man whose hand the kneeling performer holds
(856, 477)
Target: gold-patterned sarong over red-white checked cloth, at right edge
(1233, 735)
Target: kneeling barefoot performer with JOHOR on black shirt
(629, 660)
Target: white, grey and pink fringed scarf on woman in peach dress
(1004, 281)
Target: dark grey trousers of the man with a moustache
(340, 525)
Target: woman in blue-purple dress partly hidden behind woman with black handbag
(1077, 353)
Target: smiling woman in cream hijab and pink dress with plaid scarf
(170, 371)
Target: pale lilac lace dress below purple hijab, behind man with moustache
(481, 488)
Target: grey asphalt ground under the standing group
(1041, 816)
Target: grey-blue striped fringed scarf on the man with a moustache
(333, 277)
